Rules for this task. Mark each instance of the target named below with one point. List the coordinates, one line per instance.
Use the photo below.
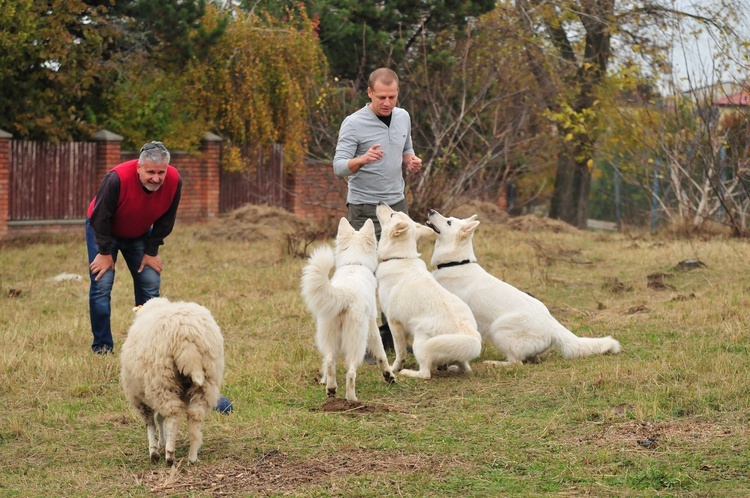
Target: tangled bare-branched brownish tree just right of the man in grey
(475, 119)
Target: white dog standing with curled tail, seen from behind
(345, 307)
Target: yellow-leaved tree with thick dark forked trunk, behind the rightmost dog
(569, 47)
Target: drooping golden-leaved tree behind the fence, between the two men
(256, 86)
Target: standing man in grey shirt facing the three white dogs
(374, 145)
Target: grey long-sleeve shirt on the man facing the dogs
(381, 180)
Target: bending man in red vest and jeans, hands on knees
(133, 212)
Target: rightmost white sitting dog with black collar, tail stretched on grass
(518, 325)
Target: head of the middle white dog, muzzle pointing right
(399, 234)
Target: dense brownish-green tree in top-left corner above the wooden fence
(51, 67)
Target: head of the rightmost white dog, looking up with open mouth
(453, 238)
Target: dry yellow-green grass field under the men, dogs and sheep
(666, 417)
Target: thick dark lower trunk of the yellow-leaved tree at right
(570, 199)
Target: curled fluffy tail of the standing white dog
(317, 291)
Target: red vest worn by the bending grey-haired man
(137, 210)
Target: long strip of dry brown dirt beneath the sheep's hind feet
(274, 473)
